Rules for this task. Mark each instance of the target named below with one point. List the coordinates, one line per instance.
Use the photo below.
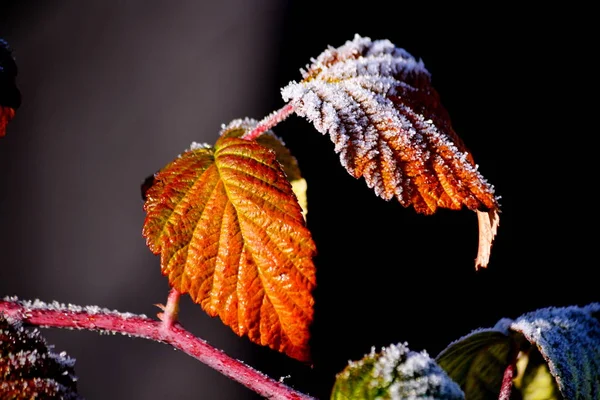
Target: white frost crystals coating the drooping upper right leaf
(347, 93)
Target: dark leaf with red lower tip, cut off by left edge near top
(10, 97)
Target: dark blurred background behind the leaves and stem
(112, 91)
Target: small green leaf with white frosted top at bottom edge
(395, 373)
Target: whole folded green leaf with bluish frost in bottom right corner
(563, 343)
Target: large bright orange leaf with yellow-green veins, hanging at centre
(231, 233)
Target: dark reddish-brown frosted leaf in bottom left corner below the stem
(29, 369)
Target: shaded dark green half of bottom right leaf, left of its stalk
(477, 361)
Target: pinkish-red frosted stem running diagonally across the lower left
(55, 315)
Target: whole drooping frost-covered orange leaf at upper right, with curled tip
(388, 126)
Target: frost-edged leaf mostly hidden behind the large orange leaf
(239, 127)
